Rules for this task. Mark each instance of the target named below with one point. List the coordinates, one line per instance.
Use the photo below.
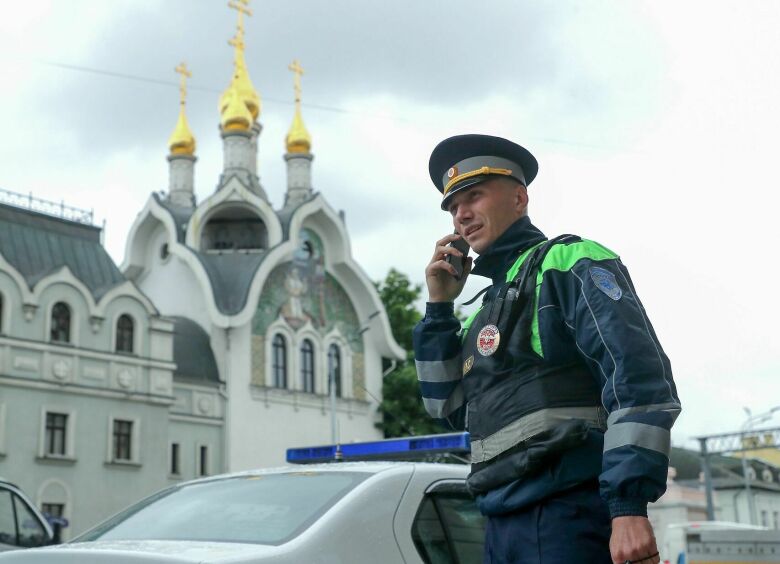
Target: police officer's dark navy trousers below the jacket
(572, 527)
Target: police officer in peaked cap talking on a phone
(558, 377)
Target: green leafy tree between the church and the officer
(402, 408)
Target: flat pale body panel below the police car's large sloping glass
(141, 552)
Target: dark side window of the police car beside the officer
(446, 525)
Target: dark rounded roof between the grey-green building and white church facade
(192, 353)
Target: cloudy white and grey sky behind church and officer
(654, 124)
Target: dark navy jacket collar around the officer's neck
(497, 258)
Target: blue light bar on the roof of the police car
(407, 448)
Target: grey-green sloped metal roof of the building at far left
(37, 245)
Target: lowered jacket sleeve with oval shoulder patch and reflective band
(615, 338)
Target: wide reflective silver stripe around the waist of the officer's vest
(528, 426)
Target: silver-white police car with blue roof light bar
(378, 510)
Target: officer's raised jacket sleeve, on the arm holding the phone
(437, 354)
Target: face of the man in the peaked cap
(484, 211)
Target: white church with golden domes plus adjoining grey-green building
(231, 332)
